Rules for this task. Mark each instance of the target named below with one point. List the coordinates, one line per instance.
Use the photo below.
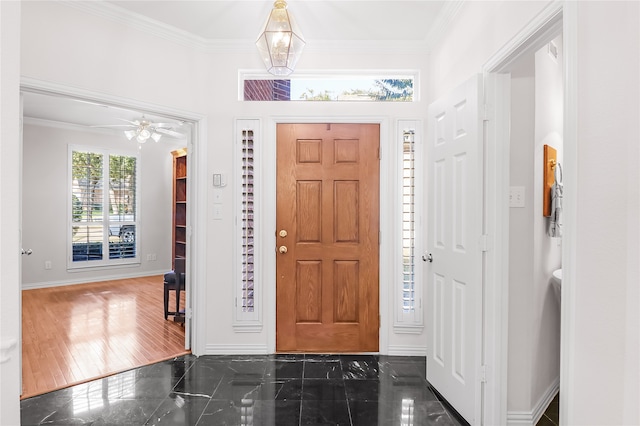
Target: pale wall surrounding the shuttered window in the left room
(45, 197)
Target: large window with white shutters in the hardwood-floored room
(103, 225)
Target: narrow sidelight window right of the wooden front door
(409, 291)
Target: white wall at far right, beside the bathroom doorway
(606, 331)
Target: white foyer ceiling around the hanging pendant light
(348, 20)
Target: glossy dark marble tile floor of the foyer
(279, 390)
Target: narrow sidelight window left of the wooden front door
(246, 296)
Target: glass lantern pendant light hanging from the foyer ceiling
(280, 42)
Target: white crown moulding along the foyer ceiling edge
(168, 32)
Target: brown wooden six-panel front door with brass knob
(327, 237)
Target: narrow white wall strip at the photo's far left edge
(9, 213)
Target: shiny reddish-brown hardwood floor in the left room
(72, 334)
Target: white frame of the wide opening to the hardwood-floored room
(196, 249)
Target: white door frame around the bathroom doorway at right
(496, 168)
